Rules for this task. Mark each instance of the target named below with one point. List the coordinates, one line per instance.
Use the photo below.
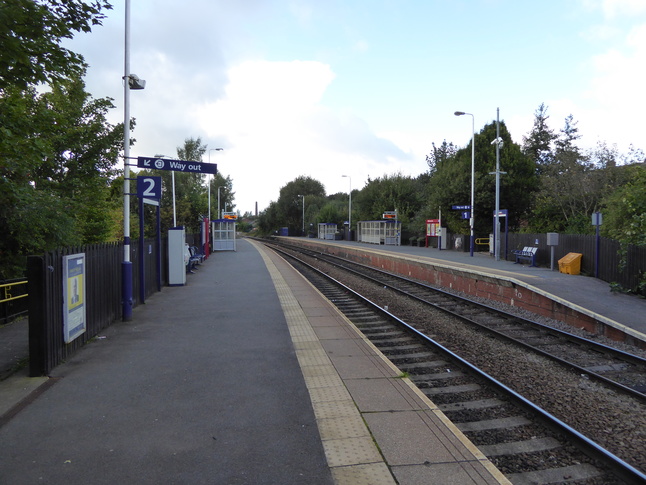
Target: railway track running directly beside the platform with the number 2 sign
(527, 443)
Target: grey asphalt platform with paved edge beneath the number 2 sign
(246, 375)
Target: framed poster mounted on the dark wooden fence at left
(73, 296)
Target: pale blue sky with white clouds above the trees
(362, 88)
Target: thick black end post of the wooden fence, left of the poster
(37, 317)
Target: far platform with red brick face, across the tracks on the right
(582, 301)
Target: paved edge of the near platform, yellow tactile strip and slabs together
(376, 427)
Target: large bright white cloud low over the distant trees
(276, 129)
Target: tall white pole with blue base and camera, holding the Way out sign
(131, 81)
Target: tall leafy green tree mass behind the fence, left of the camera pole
(56, 149)
